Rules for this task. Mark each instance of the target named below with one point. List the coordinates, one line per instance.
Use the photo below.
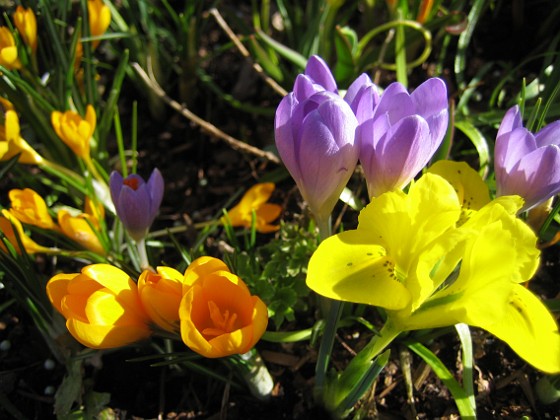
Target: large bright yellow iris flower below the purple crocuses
(429, 266)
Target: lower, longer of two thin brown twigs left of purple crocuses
(203, 124)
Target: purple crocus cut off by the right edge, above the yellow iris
(527, 164)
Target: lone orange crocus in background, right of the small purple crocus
(255, 200)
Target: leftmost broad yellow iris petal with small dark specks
(349, 267)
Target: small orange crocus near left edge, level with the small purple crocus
(29, 207)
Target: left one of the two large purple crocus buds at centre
(315, 139)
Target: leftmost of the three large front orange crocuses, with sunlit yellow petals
(101, 306)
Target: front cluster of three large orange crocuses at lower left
(211, 308)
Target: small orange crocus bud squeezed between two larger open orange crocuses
(161, 293)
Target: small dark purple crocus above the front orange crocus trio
(136, 202)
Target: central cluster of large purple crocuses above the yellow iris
(321, 137)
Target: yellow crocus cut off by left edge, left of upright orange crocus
(11, 143)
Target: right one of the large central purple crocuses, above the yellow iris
(402, 135)
